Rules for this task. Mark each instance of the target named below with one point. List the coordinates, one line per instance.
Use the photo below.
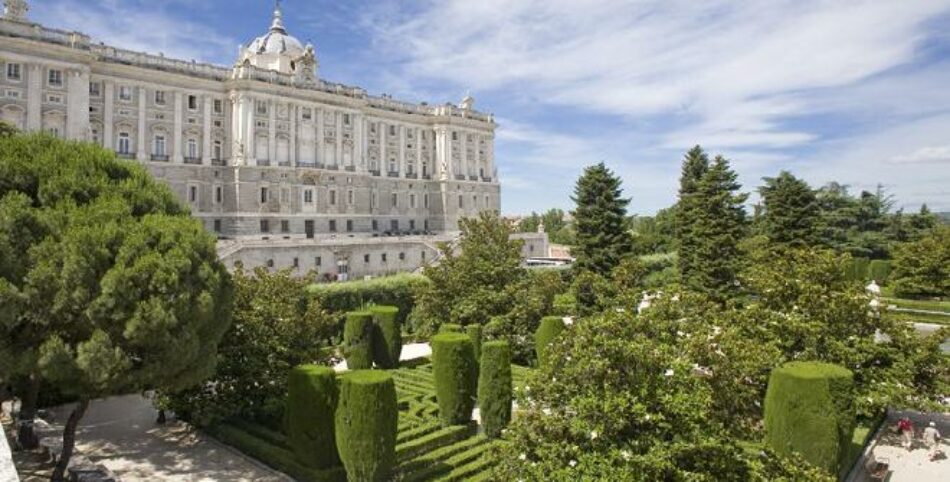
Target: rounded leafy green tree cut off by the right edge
(922, 267)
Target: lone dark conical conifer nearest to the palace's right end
(600, 220)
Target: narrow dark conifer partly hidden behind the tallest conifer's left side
(695, 165)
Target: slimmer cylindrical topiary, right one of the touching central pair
(494, 387)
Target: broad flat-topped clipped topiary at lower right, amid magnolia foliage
(809, 410)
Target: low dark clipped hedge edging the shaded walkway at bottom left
(274, 456)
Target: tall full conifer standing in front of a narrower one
(717, 228)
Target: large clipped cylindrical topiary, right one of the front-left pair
(366, 420)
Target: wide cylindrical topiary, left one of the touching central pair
(455, 371)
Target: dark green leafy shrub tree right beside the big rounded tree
(276, 327)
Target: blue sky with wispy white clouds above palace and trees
(856, 92)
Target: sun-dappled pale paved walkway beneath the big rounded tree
(120, 433)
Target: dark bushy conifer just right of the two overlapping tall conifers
(791, 215)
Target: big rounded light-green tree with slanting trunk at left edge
(115, 288)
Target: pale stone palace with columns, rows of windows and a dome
(261, 150)
